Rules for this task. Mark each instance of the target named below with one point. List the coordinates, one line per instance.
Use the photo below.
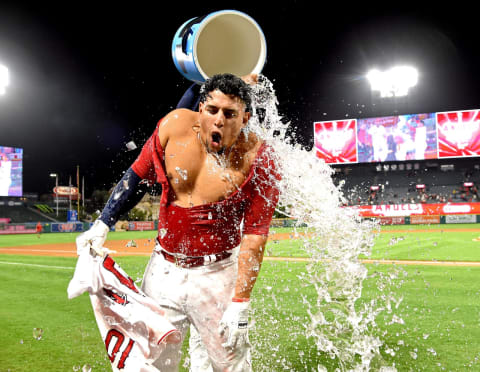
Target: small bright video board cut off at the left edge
(11, 171)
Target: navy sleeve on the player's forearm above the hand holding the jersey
(126, 195)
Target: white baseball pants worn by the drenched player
(197, 296)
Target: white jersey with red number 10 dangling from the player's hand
(131, 324)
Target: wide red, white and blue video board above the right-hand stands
(399, 138)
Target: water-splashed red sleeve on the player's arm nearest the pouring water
(264, 194)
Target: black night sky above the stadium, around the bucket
(86, 78)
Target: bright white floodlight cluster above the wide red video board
(394, 82)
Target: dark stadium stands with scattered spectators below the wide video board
(382, 184)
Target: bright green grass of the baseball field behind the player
(440, 307)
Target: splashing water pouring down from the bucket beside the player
(342, 330)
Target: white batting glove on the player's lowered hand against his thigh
(234, 324)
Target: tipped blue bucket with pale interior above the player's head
(227, 41)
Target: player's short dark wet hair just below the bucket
(230, 85)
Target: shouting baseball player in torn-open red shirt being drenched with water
(215, 176)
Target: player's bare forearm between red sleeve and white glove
(250, 260)
